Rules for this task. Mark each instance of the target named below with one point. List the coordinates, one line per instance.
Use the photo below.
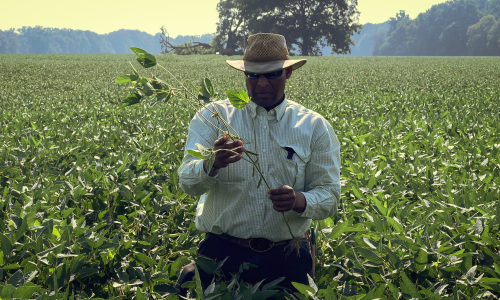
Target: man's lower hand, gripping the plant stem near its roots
(285, 198)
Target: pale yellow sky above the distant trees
(180, 17)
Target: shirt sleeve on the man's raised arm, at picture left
(193, 180)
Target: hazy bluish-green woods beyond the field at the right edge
(457, 27)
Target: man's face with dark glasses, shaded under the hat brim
(268, 92)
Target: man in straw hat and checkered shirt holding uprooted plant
(299, 155)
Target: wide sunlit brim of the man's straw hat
(265, 67)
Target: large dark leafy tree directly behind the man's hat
(306, 23)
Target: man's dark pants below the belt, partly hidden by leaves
(275, 263)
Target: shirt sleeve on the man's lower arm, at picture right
(322, 186)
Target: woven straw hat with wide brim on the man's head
(265, 52)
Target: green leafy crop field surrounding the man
(90, 204)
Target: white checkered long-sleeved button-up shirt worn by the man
(231, 203)
